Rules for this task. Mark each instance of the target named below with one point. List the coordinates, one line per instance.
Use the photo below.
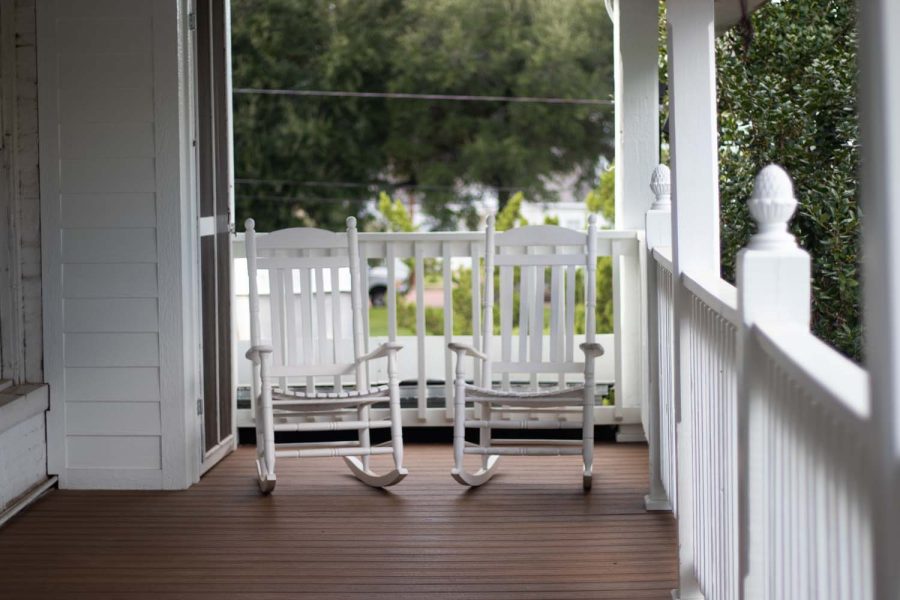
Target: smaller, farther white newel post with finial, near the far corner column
(658, 226)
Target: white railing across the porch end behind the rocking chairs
(425, 360)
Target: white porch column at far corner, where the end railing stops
(637, 153)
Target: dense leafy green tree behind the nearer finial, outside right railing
(790, 98)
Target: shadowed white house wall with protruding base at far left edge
(23, 450)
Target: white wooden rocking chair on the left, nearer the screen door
(308, 345)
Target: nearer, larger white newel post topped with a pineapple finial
(773, 283)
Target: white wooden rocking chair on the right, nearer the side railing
(530, 250)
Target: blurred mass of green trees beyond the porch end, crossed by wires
(319, 159)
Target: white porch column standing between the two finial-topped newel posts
(695, 173)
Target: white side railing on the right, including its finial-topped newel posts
(762, 436)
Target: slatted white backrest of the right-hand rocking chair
(537, 264)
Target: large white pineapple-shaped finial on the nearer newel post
(772, 205)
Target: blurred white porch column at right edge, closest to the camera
(879, 60)
